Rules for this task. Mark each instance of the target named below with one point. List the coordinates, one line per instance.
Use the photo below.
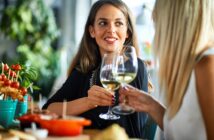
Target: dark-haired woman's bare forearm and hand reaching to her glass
(97, 96)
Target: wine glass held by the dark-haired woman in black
(109, 82)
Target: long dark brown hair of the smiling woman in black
(88, 56)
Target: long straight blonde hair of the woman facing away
(183, 29)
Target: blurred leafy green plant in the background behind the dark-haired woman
(32, 25)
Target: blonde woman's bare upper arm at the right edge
(204, 79)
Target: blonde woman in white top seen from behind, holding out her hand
(184, 49)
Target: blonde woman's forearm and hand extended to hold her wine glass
(143, 102)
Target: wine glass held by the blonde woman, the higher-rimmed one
(125, 71)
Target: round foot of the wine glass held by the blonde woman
(123, 110)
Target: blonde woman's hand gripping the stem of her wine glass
(139, 100)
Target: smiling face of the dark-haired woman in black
(109, 29)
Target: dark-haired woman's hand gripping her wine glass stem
(99, 96)
